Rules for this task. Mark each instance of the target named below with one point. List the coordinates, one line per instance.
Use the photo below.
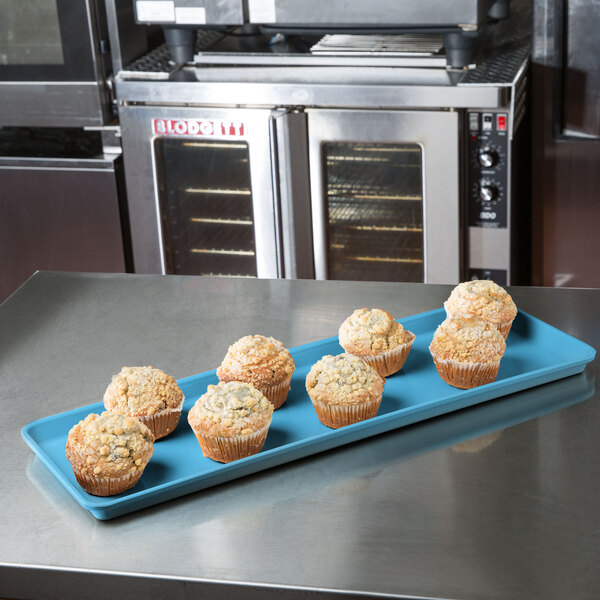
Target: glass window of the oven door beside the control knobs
(374, 204)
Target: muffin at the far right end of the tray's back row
(483, 299)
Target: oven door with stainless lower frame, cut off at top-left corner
(51, 63)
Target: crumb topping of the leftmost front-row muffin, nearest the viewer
(111, 445)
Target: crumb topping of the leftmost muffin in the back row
(137, 391)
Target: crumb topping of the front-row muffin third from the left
(343, 379)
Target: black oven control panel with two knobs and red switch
(487, 169)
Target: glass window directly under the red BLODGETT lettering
(206, 207)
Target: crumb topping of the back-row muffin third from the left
(369, 331)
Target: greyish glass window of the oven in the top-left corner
(45, 40)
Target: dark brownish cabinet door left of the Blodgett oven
(62, 218)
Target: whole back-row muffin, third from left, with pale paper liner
(374, 335)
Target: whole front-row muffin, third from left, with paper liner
(344, 389)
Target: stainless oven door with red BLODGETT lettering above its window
(200, 191)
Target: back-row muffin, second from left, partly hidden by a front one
(261, 361)
